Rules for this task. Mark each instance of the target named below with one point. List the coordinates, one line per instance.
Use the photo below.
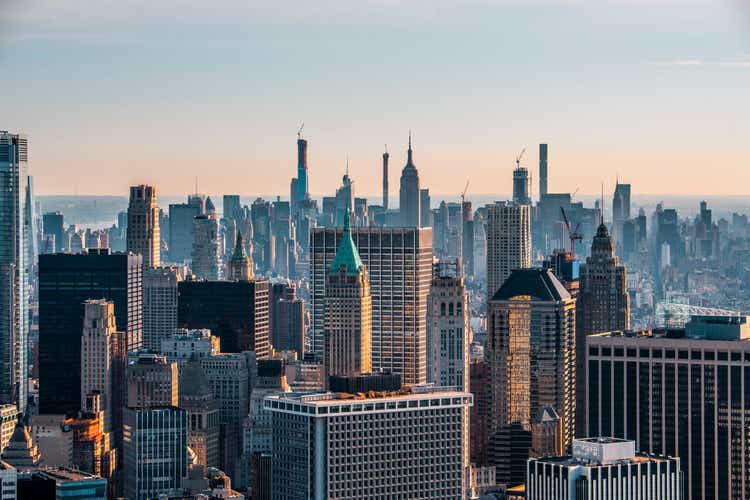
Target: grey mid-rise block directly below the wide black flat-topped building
(228, 375)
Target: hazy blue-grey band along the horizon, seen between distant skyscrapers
(101, 211)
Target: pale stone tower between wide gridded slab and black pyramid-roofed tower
(448, 328)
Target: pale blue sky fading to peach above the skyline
(113, 92)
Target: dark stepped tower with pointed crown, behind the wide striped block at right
(603, 304)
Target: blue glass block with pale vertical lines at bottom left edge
(155, 452)
